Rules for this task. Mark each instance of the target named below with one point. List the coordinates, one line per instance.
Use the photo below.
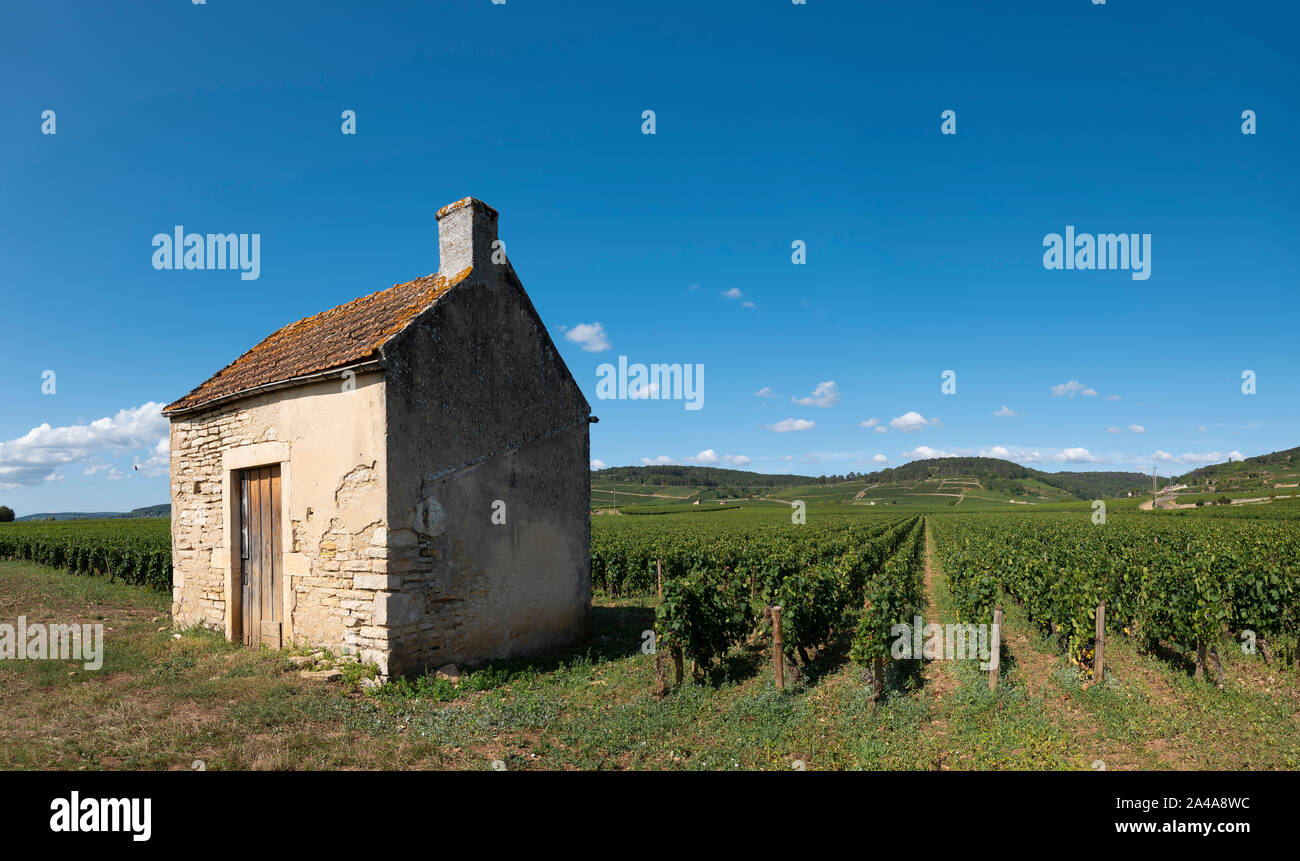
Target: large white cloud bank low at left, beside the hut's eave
(33, 457)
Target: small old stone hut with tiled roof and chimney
(404, 478)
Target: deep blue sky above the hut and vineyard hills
(774, 123)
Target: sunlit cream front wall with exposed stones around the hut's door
(330, 440)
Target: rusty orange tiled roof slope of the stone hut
(336, 339)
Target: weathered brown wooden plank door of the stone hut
(261, 566)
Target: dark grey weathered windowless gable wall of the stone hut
(483, 410)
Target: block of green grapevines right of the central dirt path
(1176, 579)
